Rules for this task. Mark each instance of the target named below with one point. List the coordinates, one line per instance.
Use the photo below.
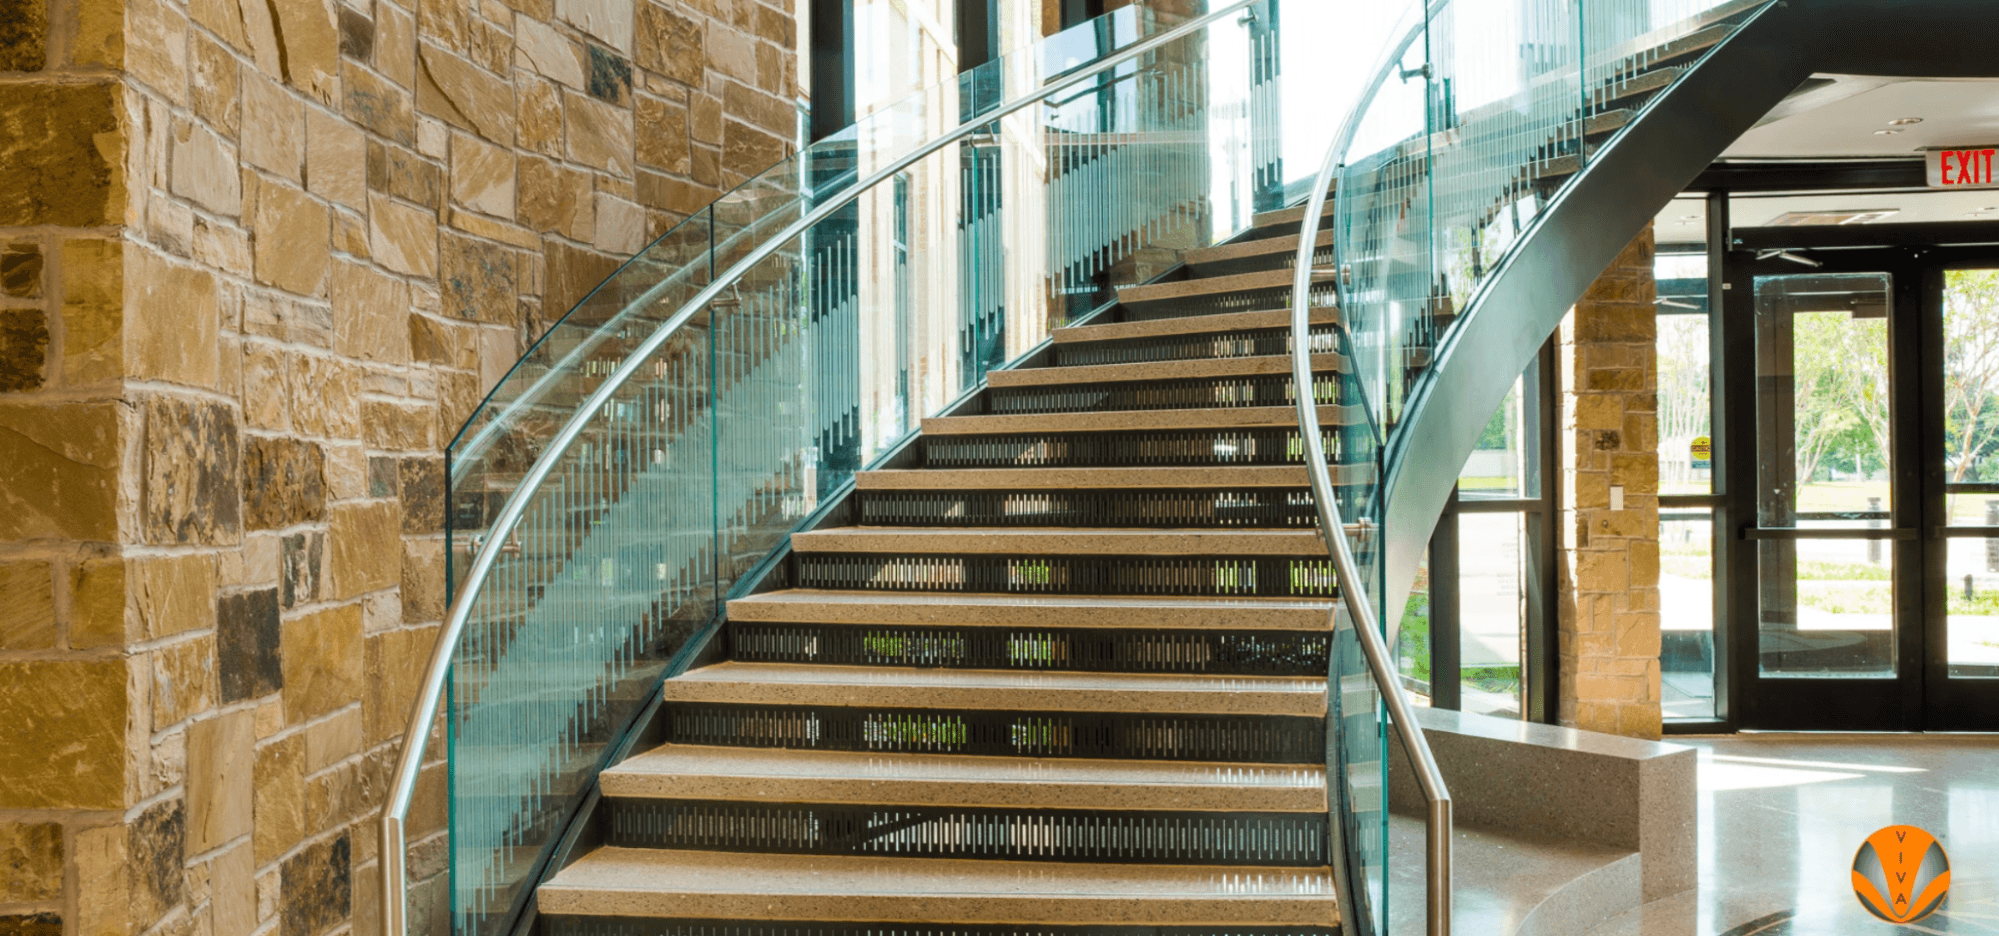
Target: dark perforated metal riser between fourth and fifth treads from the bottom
(1070, 574)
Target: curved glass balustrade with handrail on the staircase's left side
(667, 437)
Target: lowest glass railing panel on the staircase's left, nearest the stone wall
(601, 584)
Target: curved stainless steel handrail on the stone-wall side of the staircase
(425, 712)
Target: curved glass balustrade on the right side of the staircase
(1470, 131)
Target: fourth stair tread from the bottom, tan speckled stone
(843, 606)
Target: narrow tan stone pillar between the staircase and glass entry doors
(1610, 558)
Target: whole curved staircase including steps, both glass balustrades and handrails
(1060, 662)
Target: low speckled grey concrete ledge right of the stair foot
(1564, 784)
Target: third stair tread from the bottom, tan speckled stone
(907, 688)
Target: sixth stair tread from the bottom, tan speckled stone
(1100, 476)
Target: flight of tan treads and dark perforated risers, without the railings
(1060, 674)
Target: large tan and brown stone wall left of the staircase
(259, 261)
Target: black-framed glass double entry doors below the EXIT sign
(1874, 552)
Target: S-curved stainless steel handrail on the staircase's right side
(1366, 624)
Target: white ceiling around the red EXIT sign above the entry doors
(1850, 117)
